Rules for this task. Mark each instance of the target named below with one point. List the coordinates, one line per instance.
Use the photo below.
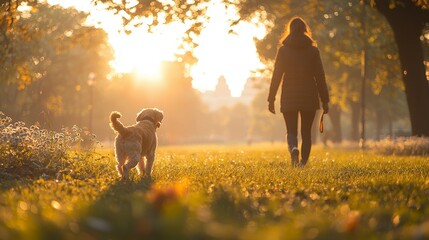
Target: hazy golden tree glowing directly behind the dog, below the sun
(172, 93)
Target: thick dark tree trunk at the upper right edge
(407, 23)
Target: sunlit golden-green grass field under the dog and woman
(215, 192)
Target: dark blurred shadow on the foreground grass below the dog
(135, 210)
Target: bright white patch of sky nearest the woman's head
(221, 53)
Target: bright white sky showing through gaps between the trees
(219, 52)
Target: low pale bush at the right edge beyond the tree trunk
(405, 146)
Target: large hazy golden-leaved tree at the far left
(51, 55)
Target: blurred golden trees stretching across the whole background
(55, 71)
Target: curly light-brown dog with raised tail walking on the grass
(134, 143)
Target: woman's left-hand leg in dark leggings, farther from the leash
(291, 121)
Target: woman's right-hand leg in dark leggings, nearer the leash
(307, 118)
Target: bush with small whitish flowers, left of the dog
(31, 151)
